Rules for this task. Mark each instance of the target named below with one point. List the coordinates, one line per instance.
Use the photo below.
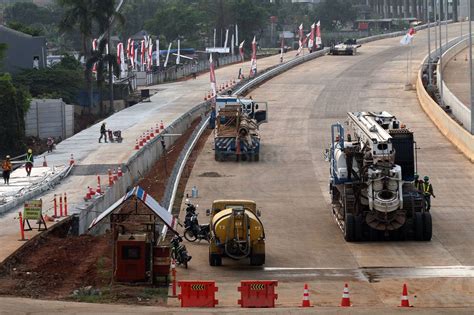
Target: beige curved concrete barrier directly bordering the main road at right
(460, 137)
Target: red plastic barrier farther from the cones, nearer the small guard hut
(197, 293)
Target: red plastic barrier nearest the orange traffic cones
(257, 293)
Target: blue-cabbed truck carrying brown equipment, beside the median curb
(236, 128)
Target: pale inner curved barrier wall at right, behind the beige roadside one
(459, 110)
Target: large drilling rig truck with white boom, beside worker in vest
(371, 180)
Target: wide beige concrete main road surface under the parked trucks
(290, 186)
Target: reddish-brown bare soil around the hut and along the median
(60, 264)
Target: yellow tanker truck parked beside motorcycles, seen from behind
(236, 232)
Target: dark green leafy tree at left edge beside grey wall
(14, 103)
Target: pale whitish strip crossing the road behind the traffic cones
(369, 274)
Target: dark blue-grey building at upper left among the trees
(23, 51)
